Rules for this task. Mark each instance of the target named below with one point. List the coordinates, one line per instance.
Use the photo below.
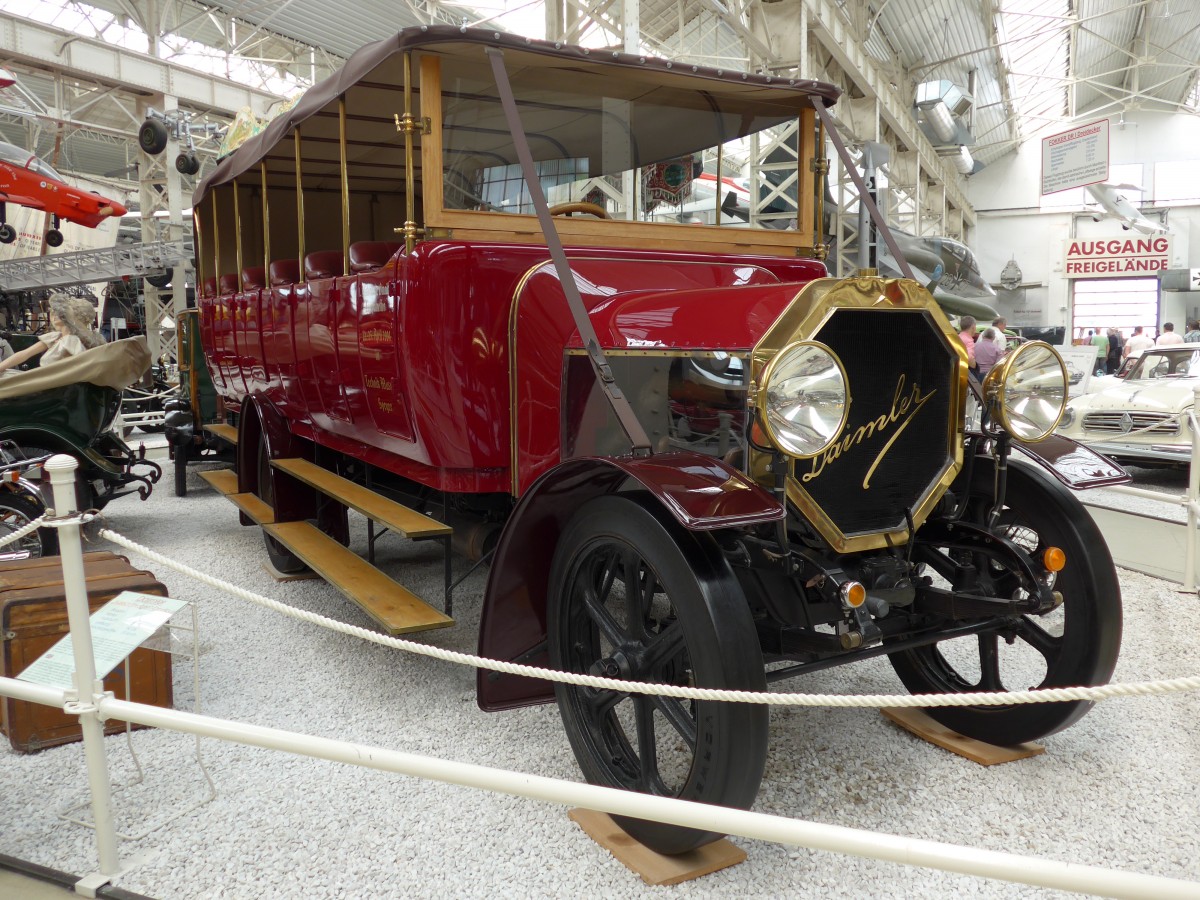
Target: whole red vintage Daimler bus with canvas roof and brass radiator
(689, 457)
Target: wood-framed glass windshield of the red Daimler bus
(632, 145)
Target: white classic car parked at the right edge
(1143, 418)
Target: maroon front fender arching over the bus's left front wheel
(701, 493)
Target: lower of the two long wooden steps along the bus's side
(394, 607)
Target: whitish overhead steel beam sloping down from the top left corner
(37, 45)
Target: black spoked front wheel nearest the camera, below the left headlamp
(633, 599)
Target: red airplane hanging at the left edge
(28, 182)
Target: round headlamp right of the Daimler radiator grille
(1029, 392)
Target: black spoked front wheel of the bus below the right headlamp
(1075, 645)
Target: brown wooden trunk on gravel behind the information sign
(34, 617)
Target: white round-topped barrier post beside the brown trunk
(89, 689)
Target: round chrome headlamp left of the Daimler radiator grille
(803, 400)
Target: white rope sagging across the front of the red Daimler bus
(1046, 695)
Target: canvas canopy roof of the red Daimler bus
(373, 83)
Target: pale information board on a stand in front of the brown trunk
(118, 628)
